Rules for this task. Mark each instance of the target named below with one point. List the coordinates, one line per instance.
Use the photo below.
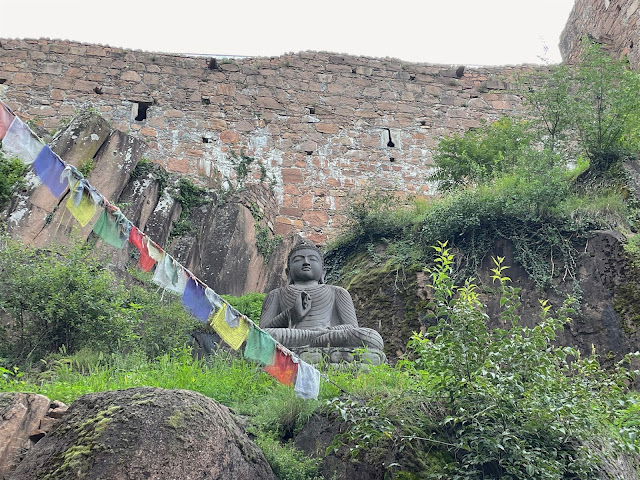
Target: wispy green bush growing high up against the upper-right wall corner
(595, 102)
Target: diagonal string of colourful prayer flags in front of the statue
(235, 328)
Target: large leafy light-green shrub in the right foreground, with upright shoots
(505, 403)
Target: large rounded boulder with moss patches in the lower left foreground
(145, 433)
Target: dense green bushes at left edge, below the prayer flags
(64, 297)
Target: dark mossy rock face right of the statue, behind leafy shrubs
(393, 302)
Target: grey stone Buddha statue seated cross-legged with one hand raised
(309, 313)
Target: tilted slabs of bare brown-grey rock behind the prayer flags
(220, 246)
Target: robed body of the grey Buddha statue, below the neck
(331, 322)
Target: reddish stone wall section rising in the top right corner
(613, 23)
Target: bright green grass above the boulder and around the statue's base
(276, 414)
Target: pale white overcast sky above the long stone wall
(469, 32)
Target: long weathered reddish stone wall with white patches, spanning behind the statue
(320, 123)
